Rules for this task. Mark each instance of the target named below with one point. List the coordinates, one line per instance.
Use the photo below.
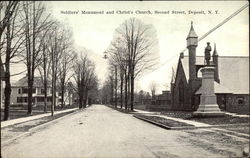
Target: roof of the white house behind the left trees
(23, 82)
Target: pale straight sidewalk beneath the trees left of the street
(24, 119)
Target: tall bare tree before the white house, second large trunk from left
(35, 21)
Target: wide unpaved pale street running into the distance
(101, 132)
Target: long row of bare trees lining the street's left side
(29, 34)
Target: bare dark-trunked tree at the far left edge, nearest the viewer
(12, 47)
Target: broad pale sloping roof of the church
(233, 73)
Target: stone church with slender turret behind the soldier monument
(231, 79)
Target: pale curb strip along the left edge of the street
(29, 132)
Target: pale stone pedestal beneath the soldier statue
(208, 102)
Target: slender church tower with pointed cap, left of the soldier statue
(192, 42)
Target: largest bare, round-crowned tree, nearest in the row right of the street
(138, 42)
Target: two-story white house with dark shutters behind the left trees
(19, 94)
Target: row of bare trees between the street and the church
(132, 51)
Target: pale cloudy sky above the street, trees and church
(95, 31)
